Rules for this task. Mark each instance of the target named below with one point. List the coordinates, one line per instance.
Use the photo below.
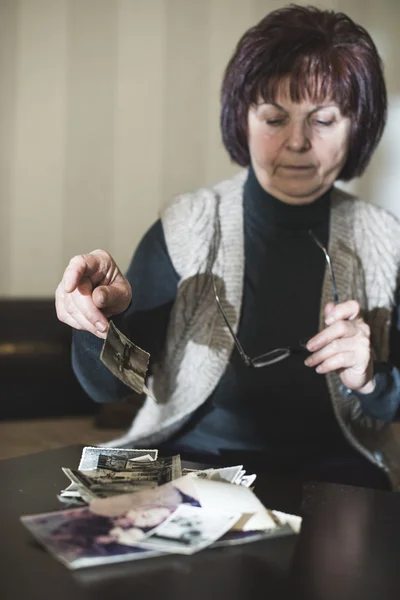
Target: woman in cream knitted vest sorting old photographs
(275, 262)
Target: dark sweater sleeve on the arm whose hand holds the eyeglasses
(384, 402)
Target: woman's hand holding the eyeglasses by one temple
(344, 346)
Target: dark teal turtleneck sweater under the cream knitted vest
(281, 413)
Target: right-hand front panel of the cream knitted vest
(364, 246)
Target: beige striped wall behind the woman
(109, 107)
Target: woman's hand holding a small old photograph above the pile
(92, 289)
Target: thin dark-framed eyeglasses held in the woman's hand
(274, 356)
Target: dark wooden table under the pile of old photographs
(349, 547)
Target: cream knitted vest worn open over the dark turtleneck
(204, 230)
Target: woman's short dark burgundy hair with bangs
(324, 54)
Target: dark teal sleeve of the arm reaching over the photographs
(154, 284)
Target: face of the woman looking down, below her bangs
(297, 150)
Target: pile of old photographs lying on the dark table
(131, 504)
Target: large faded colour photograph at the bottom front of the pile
(81, 537)
